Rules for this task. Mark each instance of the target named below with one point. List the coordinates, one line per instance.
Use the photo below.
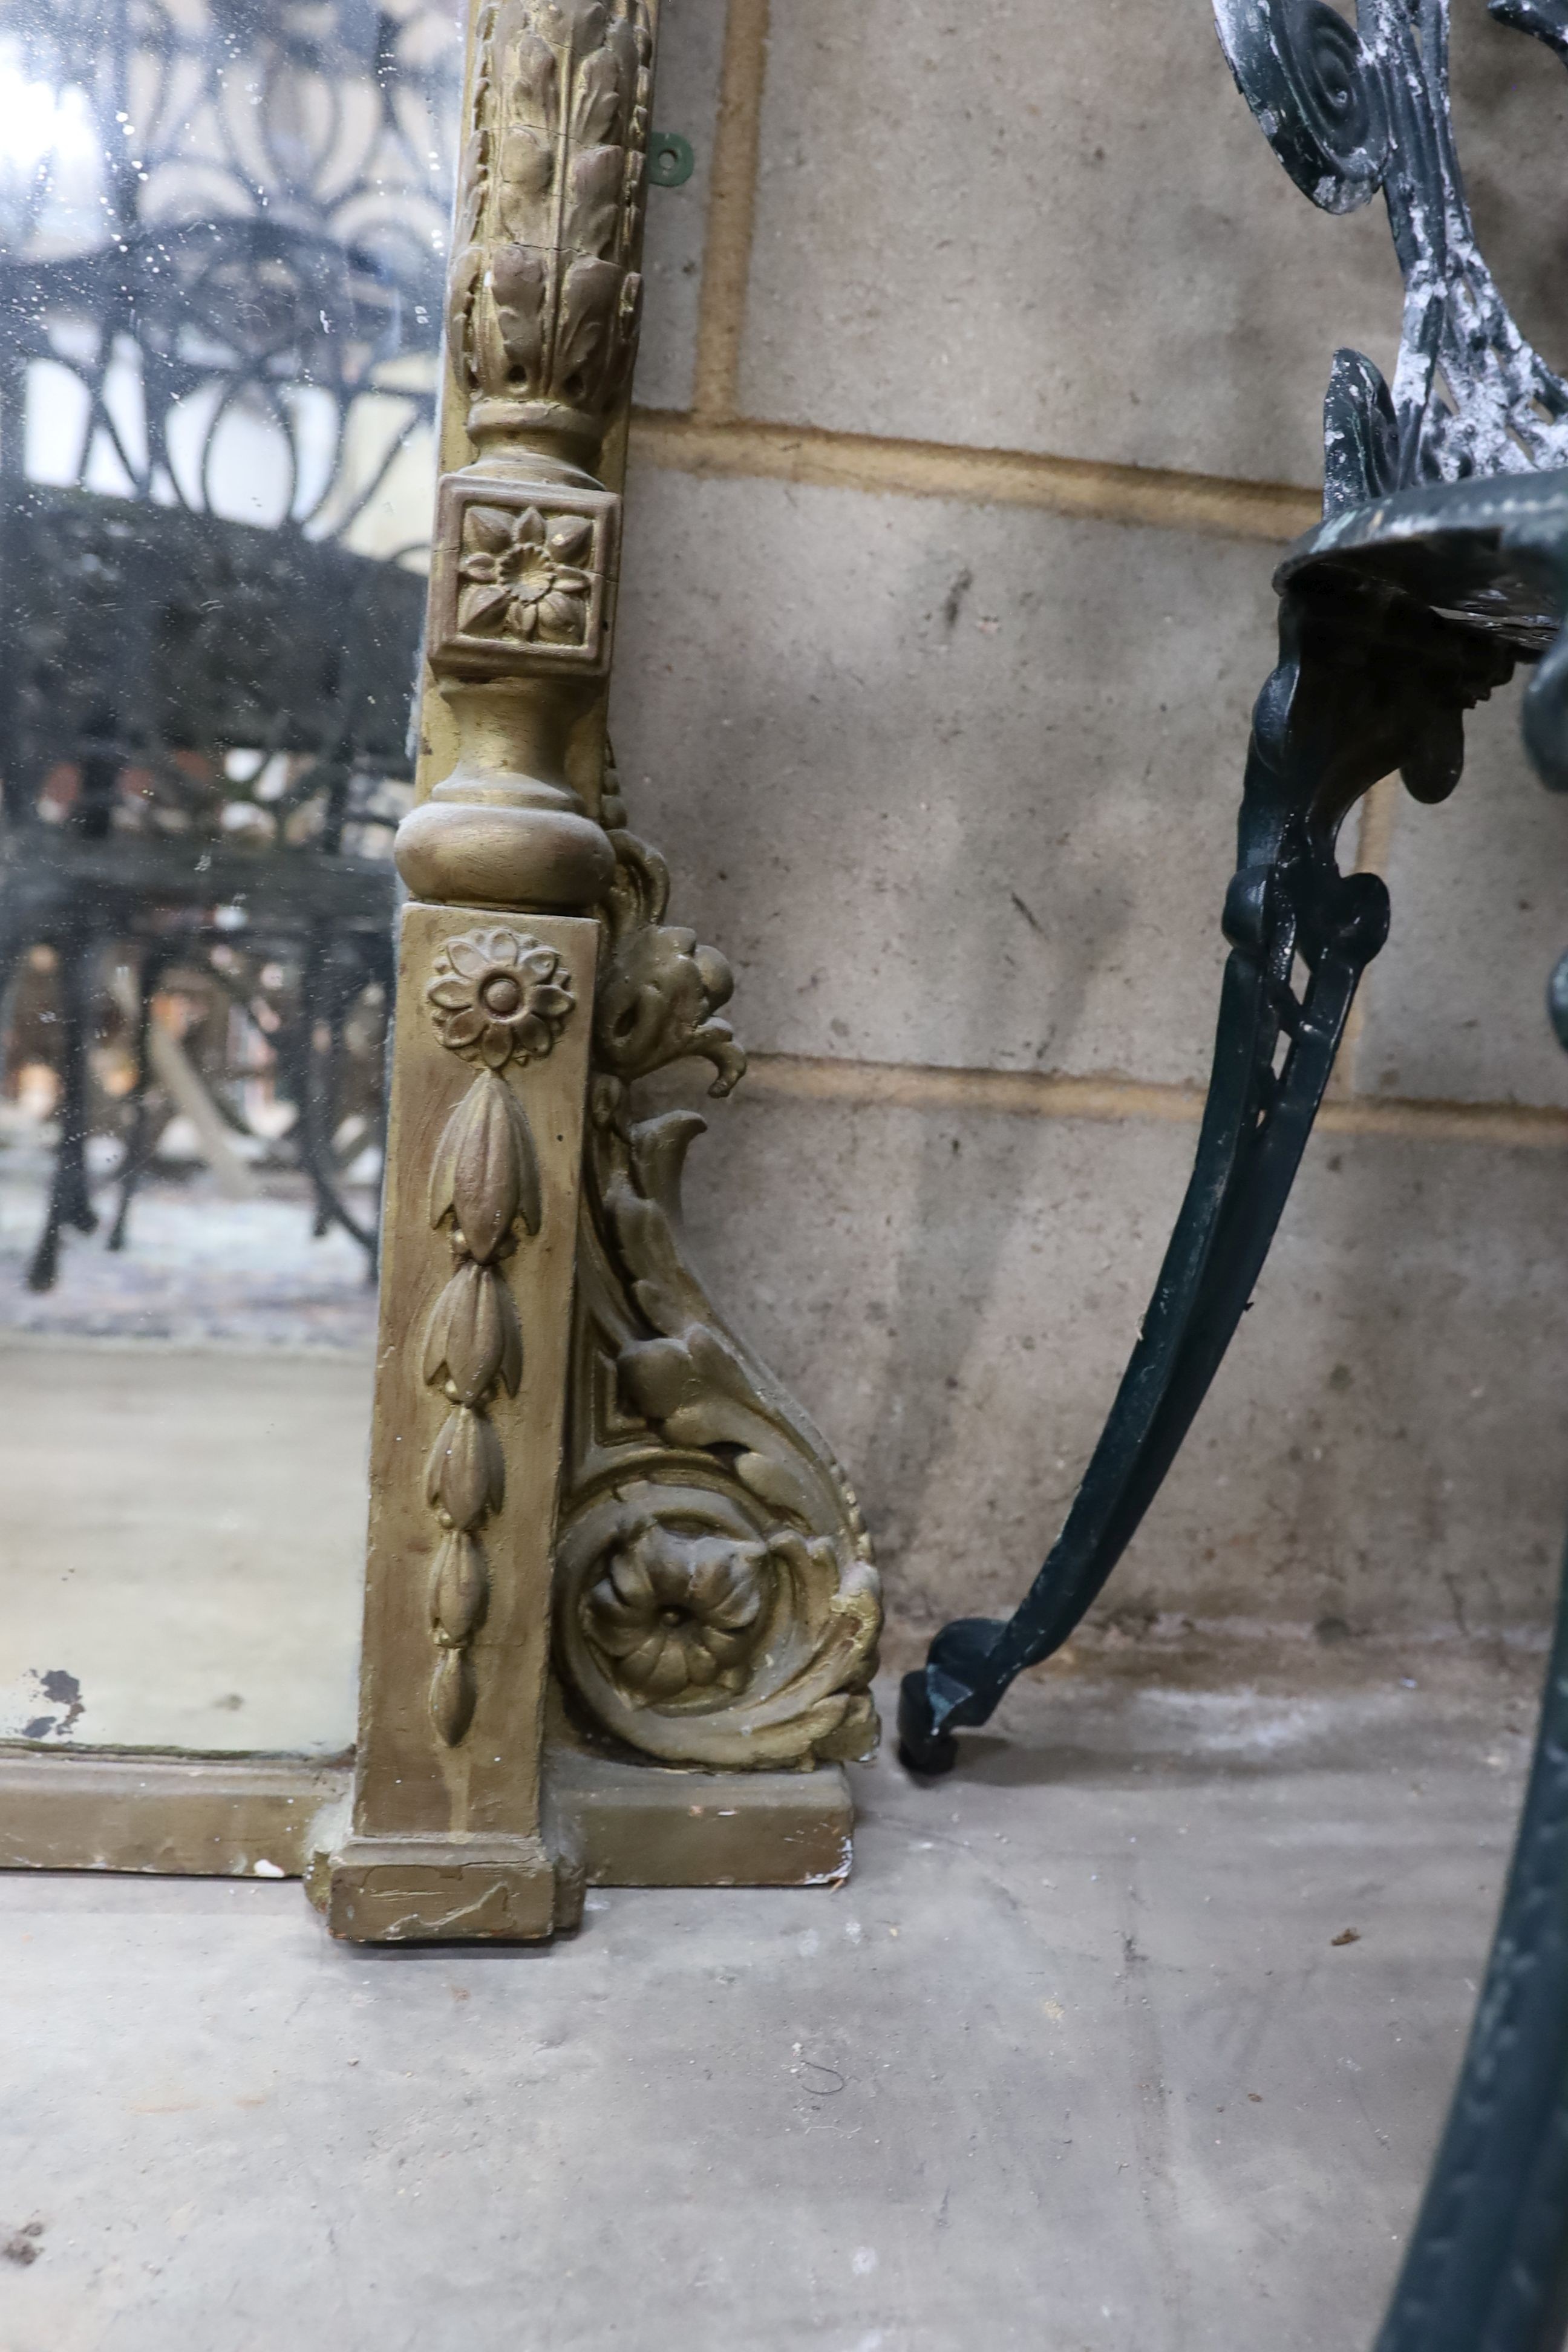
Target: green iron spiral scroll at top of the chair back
(1315, 93)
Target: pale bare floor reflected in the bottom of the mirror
(182, 1558)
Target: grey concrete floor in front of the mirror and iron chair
(1080, 2059)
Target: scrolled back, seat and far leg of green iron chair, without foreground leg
(1388, 636)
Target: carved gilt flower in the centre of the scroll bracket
(678, 1612)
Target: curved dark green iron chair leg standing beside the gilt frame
(1367, 683)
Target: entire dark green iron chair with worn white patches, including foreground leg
(1440, 566)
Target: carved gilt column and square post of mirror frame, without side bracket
(495, 994)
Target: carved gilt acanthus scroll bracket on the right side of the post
(716, 1591)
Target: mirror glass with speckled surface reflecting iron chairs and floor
(222, 253)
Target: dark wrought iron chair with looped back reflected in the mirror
(220, 314)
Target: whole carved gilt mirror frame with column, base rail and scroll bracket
(622, 1612)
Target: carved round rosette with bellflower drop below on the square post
(500, 1001)
